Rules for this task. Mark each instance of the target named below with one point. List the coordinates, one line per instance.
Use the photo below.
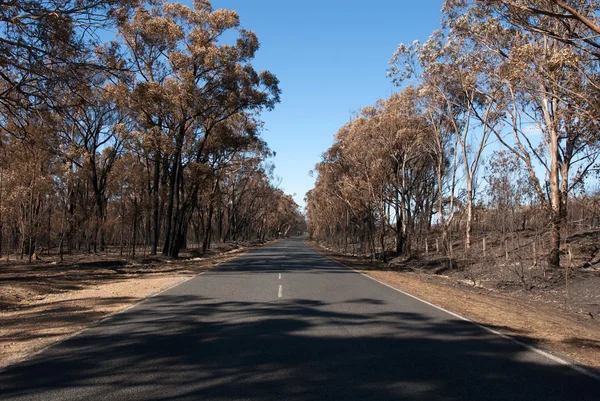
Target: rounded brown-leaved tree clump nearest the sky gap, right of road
(358, 186)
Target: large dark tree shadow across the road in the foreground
(269, 351)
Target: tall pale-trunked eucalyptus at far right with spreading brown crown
(547, 85)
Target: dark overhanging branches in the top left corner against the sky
(45, 44)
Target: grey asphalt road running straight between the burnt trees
(284, 323)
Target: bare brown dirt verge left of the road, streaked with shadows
(44, 302)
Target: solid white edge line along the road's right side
(538, 351)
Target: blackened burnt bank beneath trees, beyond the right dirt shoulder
(510, 268)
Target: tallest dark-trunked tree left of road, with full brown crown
(188, 83)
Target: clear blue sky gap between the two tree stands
(331, 57)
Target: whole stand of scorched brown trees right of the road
(488, 151)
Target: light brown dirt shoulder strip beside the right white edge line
(530, 323)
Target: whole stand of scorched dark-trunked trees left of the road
(132, 126)
